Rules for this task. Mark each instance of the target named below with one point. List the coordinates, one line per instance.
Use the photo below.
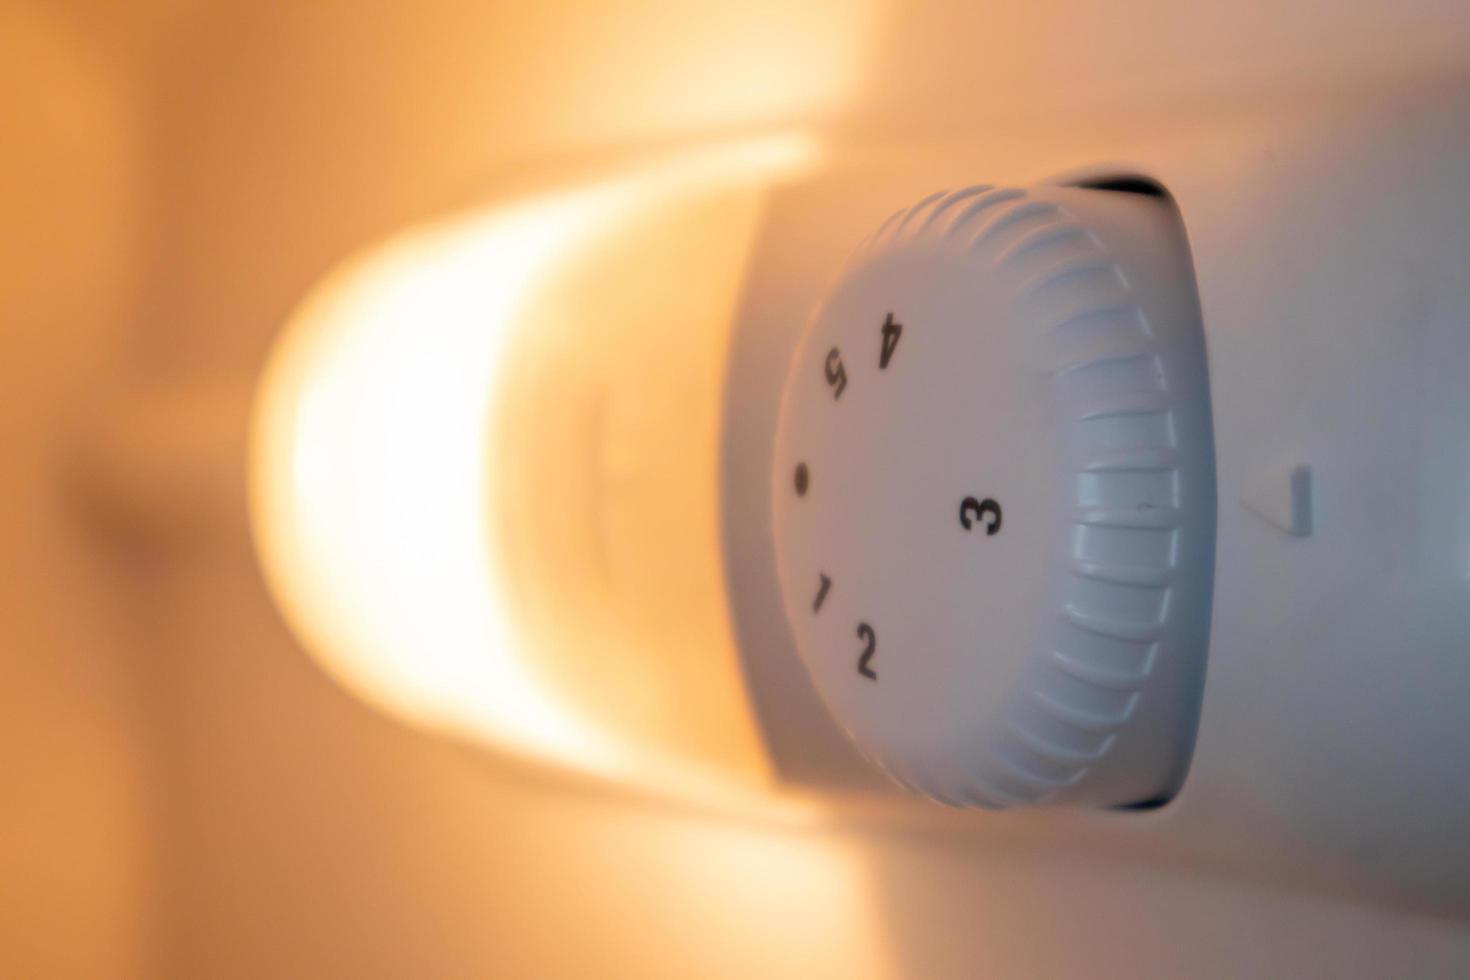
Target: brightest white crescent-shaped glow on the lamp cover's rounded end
(368, 478)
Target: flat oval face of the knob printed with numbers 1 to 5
(912, 521)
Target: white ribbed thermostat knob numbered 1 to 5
(994, 499)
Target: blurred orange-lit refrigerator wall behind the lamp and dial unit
(187, 794)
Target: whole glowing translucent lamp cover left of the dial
(484, 466)
